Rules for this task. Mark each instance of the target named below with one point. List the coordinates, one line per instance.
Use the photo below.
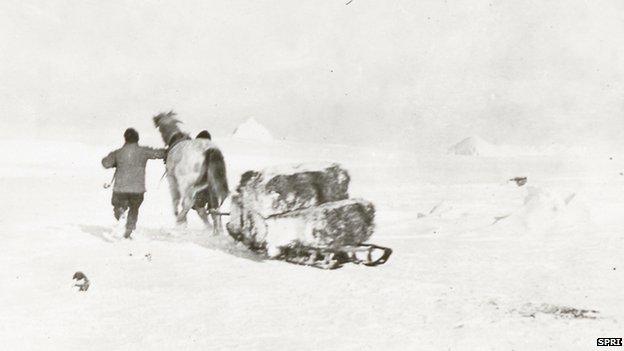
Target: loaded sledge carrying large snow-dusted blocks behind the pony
(303, 214)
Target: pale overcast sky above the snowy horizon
(412, 73)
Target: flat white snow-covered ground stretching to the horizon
(478, 263)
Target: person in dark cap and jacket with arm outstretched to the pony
(129, 163)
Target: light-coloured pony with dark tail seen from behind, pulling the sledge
(193, 166)
